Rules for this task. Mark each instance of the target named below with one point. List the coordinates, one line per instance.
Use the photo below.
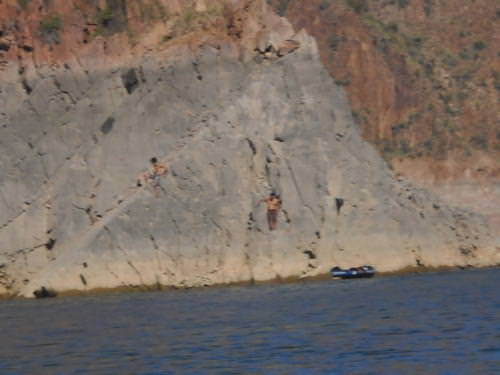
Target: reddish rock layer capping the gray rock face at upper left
(101, 33)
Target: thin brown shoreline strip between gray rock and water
(277, 281)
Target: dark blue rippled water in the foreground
(436, 323)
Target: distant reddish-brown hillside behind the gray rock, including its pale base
(423, 78)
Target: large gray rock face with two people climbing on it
(73, 145)
